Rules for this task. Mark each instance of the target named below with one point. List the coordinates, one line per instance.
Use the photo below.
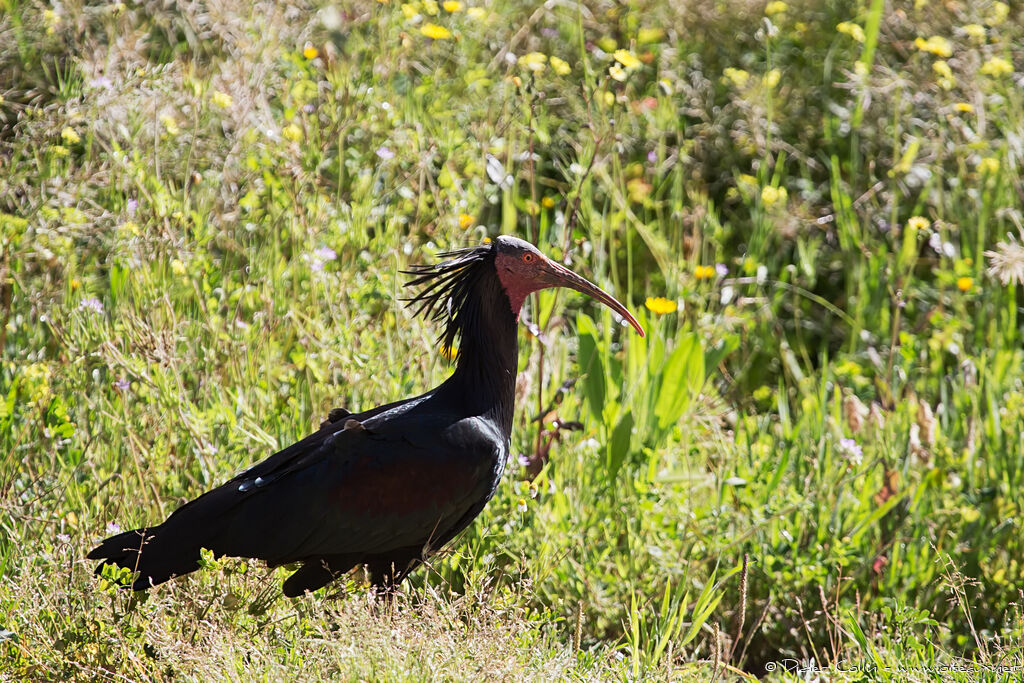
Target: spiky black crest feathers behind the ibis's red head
(447, 287)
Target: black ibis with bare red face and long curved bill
(388, 487)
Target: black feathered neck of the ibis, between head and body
(489, 357)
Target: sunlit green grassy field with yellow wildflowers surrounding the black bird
(812, 466)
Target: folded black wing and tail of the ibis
(401, 479)
